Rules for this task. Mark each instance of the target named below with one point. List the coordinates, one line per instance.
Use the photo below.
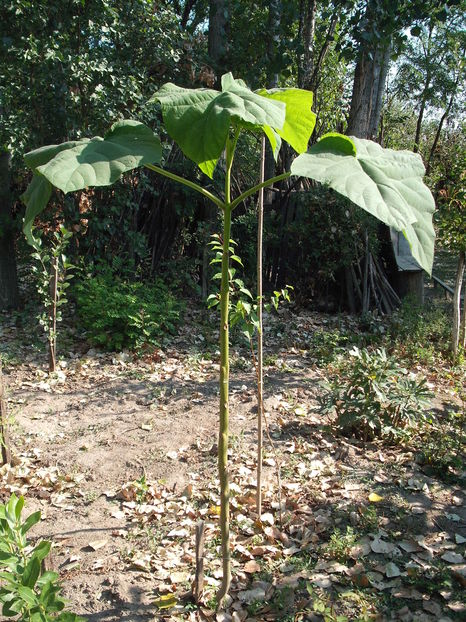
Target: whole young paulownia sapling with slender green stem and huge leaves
(206, 124)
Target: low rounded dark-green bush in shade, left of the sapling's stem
(117, 314)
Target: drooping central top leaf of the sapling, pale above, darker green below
(199, 119)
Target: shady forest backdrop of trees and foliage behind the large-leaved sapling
(390, 71)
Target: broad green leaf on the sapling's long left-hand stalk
(101, 161)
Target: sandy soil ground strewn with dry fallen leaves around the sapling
(82, 437)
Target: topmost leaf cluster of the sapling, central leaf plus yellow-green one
(199, 120)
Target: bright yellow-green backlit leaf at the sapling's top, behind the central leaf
(299, 121)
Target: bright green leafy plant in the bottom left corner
(27, 593)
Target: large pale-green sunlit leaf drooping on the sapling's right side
(384, 182)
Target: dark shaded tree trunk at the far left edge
(9, 297)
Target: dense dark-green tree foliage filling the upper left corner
(69, 69)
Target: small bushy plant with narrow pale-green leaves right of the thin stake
(373, 397)
